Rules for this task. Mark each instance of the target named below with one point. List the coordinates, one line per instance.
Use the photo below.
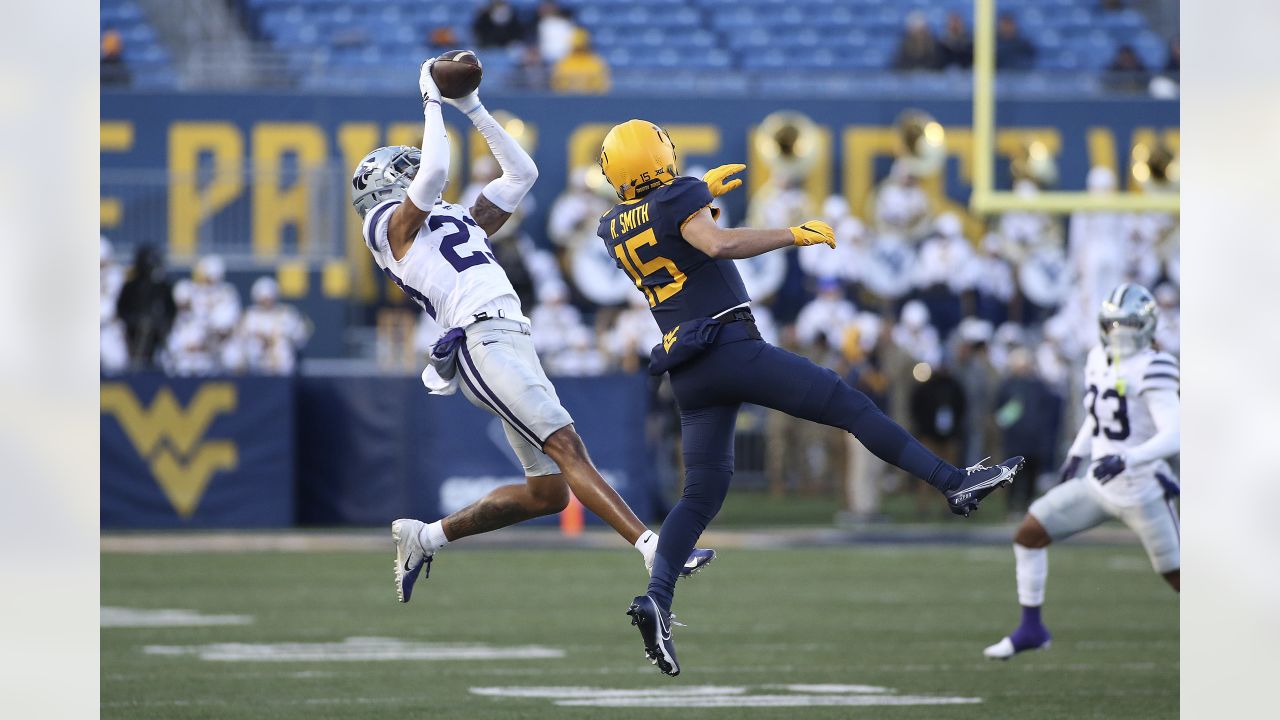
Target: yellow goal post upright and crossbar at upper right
(985, 199)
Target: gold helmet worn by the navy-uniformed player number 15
(637, 158)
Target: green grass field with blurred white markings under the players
(911, 621)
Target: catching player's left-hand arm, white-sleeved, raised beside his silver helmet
(428, 185)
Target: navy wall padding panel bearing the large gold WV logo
(196, 453)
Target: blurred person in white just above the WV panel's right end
(272, 334)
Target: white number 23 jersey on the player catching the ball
(450, 270)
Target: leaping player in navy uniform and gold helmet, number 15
(664, 235)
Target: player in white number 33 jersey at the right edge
(1130, 432)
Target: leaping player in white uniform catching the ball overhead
(440, 256)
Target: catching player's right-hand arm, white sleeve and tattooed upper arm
(499, 199)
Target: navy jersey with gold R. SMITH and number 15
(682, 282)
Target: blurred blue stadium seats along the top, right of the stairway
(776, 37)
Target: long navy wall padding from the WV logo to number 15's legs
(255, 453)
